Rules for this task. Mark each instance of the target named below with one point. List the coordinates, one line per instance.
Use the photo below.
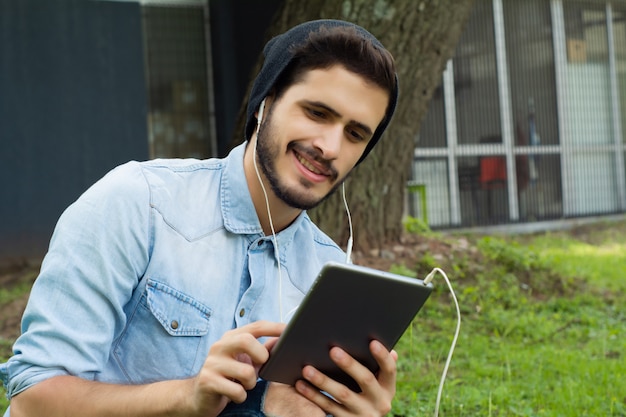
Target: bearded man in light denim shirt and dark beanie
(168, 281)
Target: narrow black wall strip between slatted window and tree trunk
(238, 34)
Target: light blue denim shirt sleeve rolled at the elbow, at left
(97, 254)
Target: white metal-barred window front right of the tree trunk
(528, 123)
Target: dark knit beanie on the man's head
(278, 53)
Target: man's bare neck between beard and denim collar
(282, 214)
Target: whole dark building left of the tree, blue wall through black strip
(86, 85)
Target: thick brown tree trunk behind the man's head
(422, 36)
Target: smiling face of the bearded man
(314, 134)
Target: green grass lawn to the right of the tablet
(543, 333)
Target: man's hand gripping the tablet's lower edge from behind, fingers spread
(377, 391)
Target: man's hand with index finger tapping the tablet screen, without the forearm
(231, 367)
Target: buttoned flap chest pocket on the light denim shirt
(163, 338)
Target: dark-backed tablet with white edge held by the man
(347, 306)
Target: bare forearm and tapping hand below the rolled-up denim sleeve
(230, 369)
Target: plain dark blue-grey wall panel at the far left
(72, 106)
